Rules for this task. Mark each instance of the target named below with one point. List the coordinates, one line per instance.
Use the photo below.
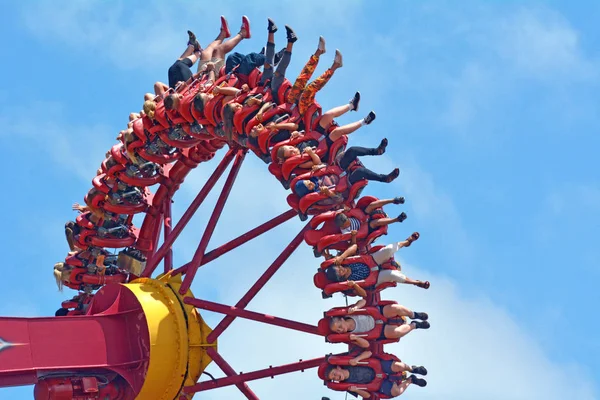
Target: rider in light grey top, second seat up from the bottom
(395, 328)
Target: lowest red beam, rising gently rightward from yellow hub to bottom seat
(250, 376)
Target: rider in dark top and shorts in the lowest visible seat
(394, 385)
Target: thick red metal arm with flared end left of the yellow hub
(103, 340)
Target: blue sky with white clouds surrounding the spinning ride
(492, 115)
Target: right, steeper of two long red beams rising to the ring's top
(212, 223)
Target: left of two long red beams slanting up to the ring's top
(189, 213)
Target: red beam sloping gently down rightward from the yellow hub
(254, 316)
